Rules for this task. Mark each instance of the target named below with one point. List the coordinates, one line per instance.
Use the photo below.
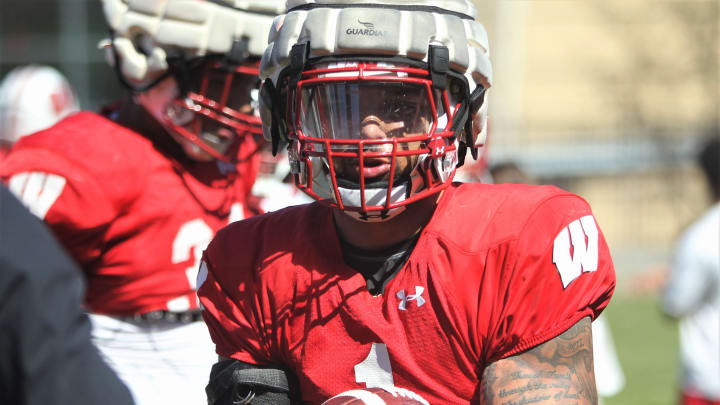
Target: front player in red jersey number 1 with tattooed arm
(396, 276)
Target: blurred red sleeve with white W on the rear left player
(64, 195)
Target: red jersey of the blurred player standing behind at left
(134, 219)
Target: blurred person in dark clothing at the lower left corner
(47, 356)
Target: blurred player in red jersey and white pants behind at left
(136, 193)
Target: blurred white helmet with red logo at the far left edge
(32, 98)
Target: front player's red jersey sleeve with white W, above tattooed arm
(557, 271)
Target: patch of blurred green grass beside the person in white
(646, 344)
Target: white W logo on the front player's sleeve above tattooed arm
(584, 256)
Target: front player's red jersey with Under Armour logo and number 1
(497, 270)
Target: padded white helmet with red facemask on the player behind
(210, 47)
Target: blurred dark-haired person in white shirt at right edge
(692, 292)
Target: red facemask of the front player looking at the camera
(371, 137)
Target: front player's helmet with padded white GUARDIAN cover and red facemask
(378, 101)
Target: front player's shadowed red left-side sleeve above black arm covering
(226, 293)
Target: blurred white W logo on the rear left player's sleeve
(37, 190)
